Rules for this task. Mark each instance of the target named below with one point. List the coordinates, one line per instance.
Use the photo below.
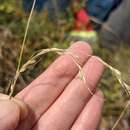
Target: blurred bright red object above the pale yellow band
(82, 21)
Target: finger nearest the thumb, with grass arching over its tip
(41, 93)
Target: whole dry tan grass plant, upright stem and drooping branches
(34, 59)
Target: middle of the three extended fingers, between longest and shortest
(65, 110)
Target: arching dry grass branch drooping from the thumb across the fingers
(34, 58)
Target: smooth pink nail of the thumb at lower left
(9, 115)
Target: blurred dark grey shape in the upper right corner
(116, 30)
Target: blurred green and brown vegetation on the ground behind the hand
(45, 33)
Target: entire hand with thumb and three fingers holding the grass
(58, 99)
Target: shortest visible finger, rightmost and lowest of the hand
(90, 117)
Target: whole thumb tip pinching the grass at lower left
(11, 112)
